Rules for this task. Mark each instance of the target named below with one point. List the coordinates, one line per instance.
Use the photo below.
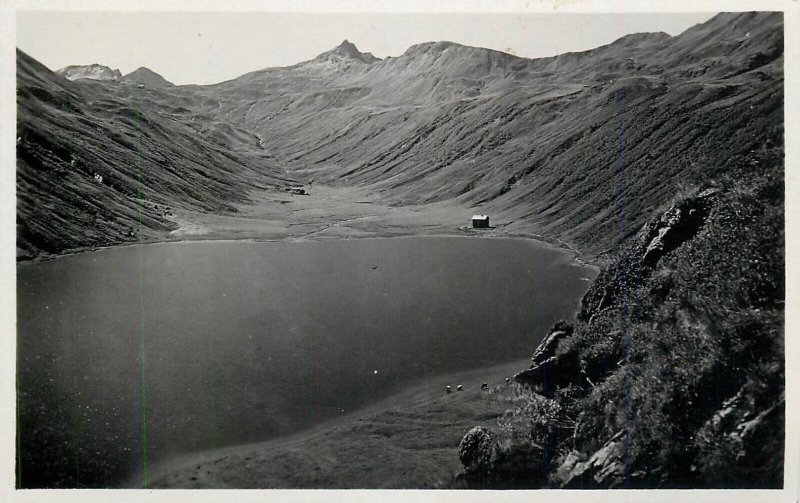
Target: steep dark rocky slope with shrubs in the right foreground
(673, 375)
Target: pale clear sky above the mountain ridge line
(207, 47)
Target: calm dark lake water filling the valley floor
(131, 355)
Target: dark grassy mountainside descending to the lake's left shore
(151, 161)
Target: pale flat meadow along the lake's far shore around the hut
(336, 202)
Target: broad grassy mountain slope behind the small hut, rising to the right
(538, 141)
